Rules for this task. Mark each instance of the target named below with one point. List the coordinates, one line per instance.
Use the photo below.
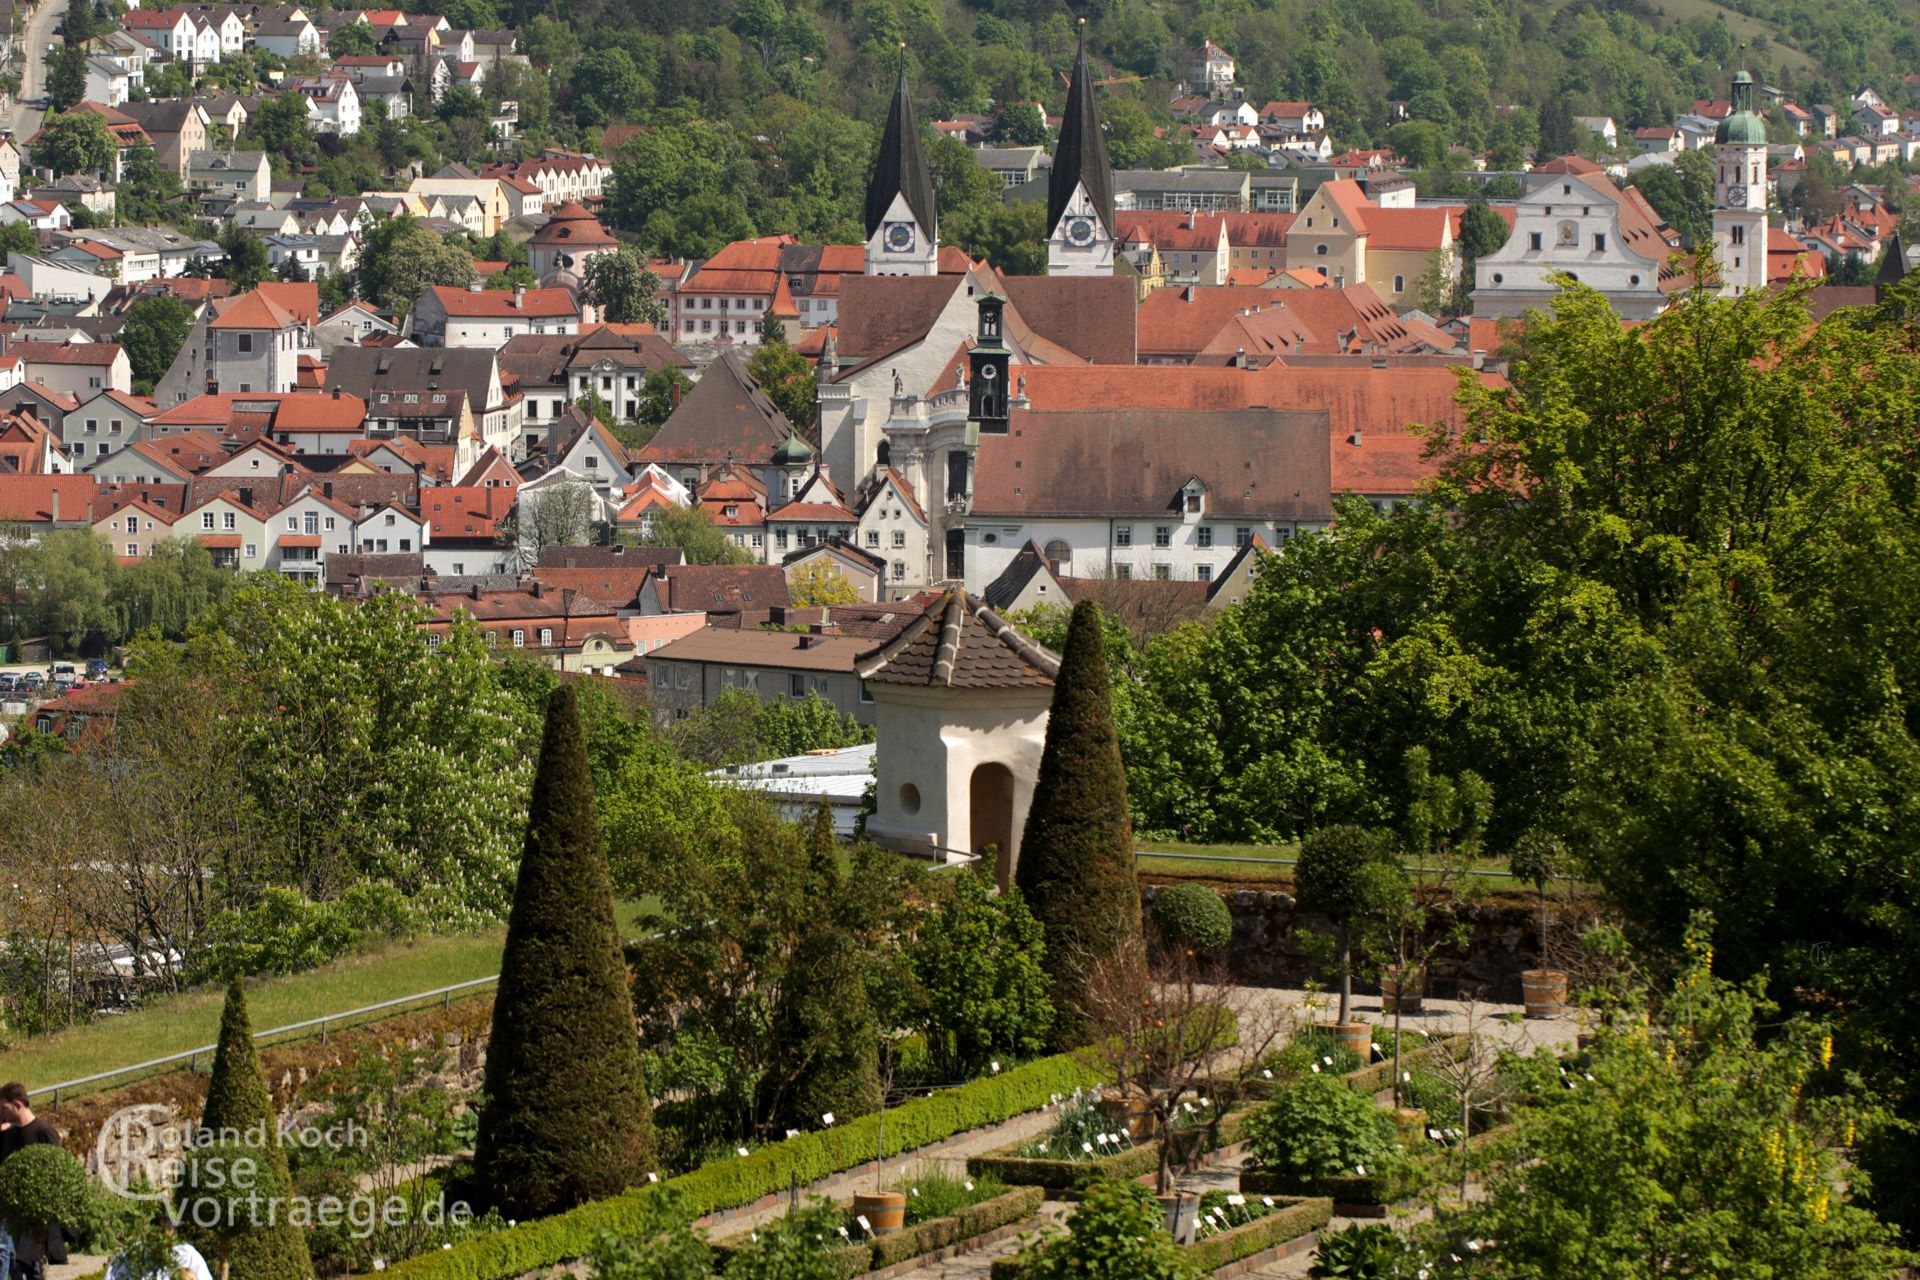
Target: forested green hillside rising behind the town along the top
(761, 112)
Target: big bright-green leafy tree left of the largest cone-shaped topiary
(318, 690)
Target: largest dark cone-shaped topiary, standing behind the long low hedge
(567, 1116)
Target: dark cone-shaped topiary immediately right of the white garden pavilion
(1076, 857)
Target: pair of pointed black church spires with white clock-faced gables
(903, 222)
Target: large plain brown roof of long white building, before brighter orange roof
(1259, 463)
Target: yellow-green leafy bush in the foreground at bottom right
(1702, 1147)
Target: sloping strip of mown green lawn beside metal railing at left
(193, 1020)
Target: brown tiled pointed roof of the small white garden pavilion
(961, 644)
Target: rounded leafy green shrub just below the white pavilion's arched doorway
(980, 966)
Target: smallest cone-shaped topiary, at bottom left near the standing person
(241, 1114)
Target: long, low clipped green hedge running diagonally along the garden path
(732, 1183)
